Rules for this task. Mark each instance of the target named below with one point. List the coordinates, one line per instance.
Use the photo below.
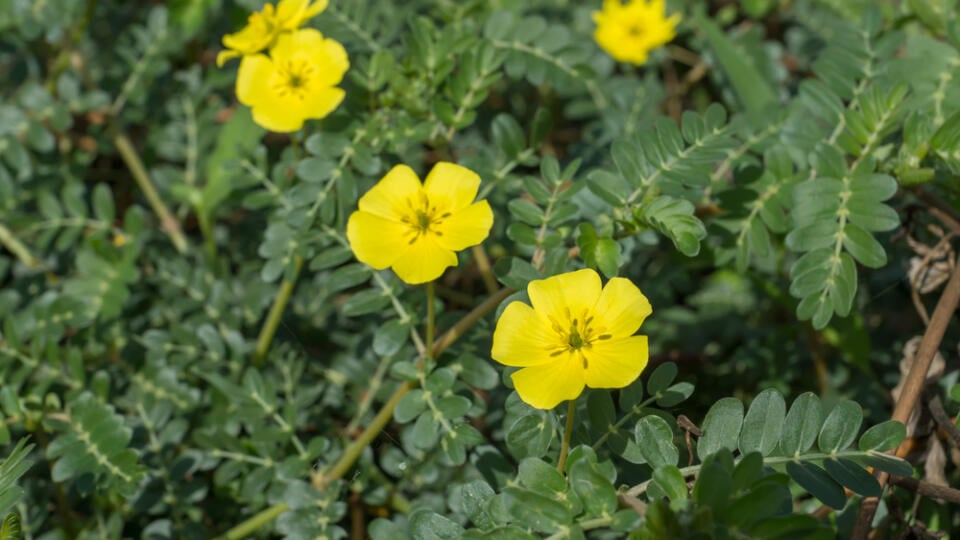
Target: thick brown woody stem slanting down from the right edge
(913, 384)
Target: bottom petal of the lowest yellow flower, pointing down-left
(546, 385)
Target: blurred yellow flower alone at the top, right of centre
(628, 32)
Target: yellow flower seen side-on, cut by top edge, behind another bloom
(264, 27)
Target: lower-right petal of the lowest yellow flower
(615, 363)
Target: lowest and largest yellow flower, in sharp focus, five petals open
(575, 335)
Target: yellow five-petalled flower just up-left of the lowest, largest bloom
(417, 228)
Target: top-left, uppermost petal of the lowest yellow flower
(564, 297)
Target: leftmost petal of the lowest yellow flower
(522, 338)
